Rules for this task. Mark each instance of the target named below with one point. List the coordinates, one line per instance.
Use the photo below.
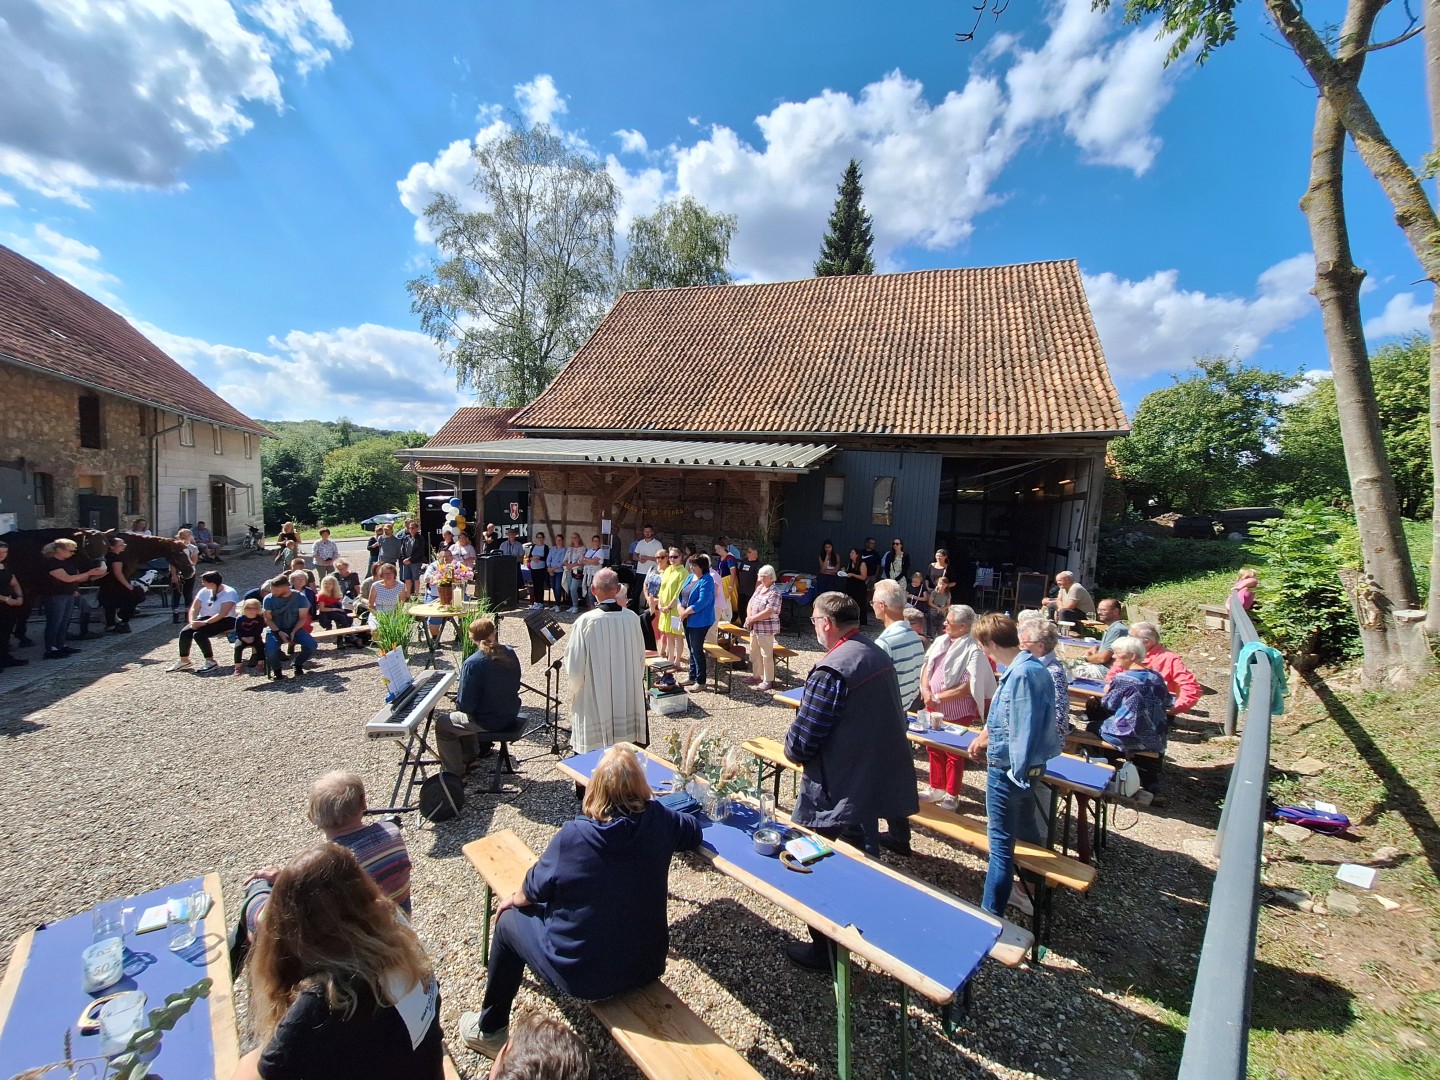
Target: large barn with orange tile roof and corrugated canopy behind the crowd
(957, 408)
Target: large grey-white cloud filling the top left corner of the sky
(127, 93)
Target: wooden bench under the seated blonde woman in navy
(660, 1033)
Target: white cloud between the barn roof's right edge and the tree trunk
(1156, 326)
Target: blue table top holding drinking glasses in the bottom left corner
(50, 999)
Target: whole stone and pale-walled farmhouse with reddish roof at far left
(99, 427)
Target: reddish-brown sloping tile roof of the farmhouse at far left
(53, 328)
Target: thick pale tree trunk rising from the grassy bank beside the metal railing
(1389, 580)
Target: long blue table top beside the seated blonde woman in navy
(940, 940)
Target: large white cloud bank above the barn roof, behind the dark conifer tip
(930, 168)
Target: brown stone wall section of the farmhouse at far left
(40, 433)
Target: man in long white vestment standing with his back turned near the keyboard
(606, 667)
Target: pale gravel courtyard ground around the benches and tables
(122, 777)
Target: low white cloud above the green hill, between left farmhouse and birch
(375, 375)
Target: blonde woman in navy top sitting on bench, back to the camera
(591, 915)
